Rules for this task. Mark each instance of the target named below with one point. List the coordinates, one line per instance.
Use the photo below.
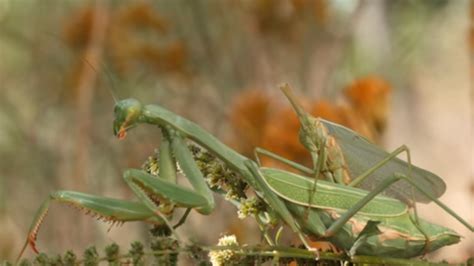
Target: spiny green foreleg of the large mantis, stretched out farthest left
(106, 209)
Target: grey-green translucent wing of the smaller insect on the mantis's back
(361, 154)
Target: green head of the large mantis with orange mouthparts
(126, 114)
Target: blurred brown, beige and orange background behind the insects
(398, 72)
